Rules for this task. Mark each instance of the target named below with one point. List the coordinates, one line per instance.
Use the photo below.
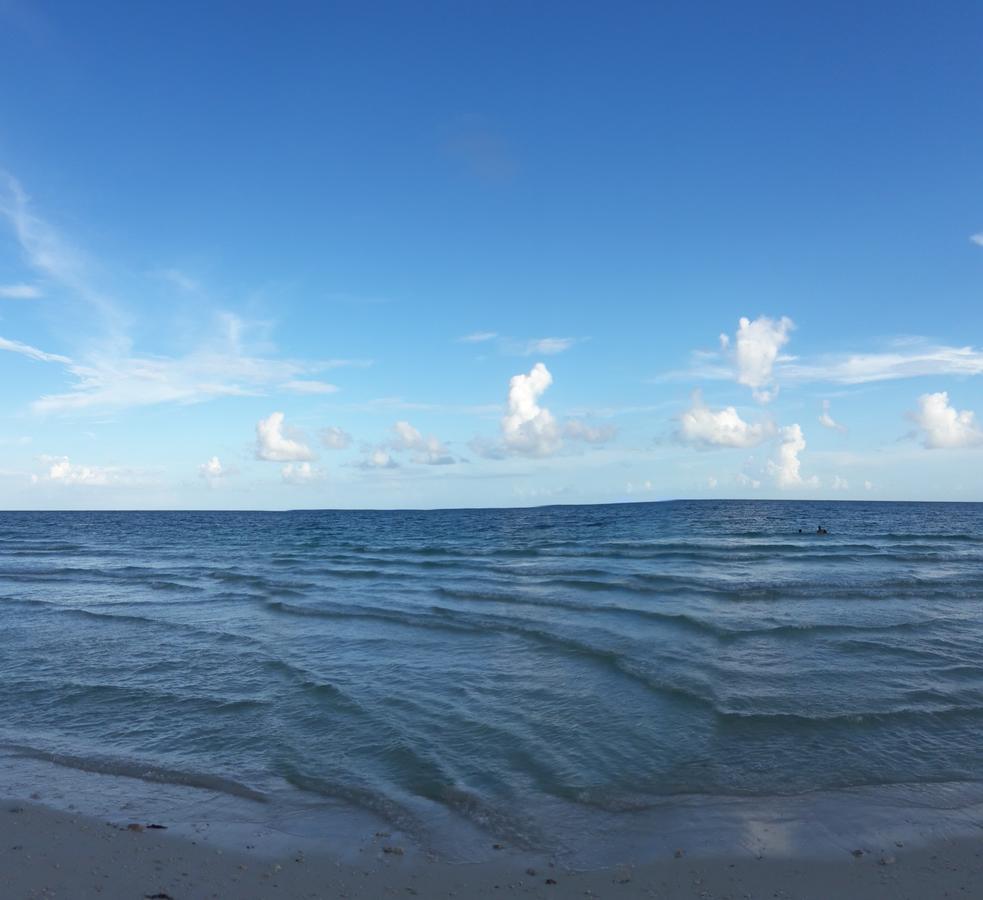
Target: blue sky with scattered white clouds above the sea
(459, 254)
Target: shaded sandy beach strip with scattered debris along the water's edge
(50, 853)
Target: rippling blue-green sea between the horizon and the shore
(498, 664)
